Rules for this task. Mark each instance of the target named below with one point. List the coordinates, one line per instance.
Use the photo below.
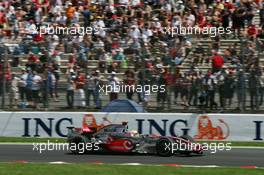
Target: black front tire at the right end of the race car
(164, 147)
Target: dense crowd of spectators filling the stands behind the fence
(128, 44)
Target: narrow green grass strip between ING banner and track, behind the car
(60, 140)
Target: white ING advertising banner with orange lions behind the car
(217, 127)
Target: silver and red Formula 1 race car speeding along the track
(117, 138)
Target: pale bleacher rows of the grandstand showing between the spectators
(157, 50)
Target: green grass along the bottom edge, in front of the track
(69, 169)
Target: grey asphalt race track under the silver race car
(234, 157)
